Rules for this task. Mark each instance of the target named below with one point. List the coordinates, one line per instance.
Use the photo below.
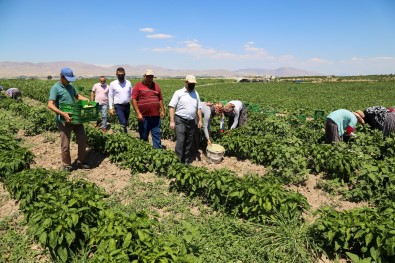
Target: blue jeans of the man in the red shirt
(151, 124)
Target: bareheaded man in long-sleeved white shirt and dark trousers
(119, 97)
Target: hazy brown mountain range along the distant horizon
(45, 69)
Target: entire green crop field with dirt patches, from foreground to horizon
(141, 205)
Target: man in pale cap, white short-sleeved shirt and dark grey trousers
(184, 108)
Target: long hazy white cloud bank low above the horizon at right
(251, 55)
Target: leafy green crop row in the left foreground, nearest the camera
(70, 218)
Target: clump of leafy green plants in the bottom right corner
(366, 232)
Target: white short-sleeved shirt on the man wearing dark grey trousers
(185, 103)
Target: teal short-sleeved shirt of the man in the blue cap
(62, 94)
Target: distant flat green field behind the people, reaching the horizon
(284, 96)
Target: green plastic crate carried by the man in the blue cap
(80, 111)
